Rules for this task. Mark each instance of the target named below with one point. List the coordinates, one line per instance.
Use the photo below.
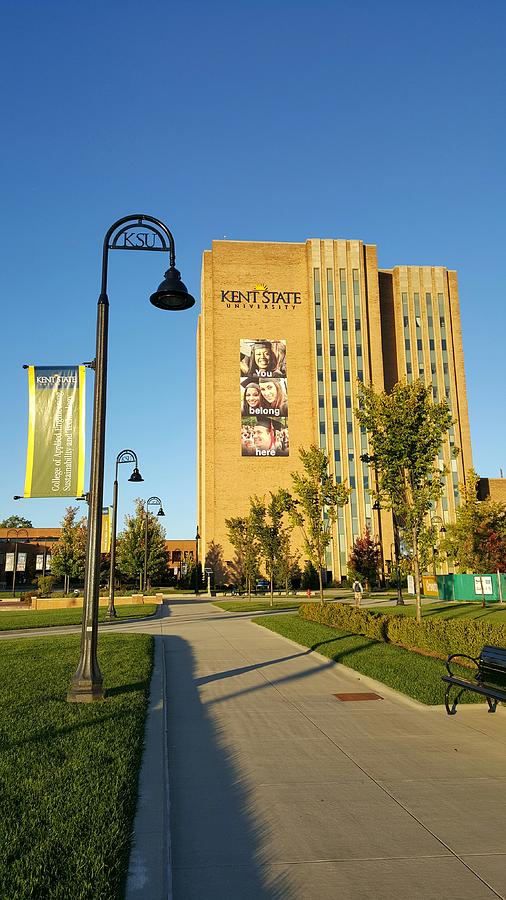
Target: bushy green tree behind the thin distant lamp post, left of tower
(131, 547)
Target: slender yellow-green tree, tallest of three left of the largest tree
(314, 504)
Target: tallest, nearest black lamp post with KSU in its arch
(135, 232)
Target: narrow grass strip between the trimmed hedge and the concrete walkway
(410, 673)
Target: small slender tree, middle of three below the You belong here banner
(267, 521)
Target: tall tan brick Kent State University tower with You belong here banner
(285, 332)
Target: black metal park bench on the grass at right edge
(489, 678)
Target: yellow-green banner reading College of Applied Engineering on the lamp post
(56, 431)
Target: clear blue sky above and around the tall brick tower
(262, 121)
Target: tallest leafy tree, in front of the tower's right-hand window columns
(406, 430)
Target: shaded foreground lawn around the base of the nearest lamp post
(69, 771)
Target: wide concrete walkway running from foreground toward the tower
(279, 790)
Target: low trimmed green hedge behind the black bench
(442, 636)
